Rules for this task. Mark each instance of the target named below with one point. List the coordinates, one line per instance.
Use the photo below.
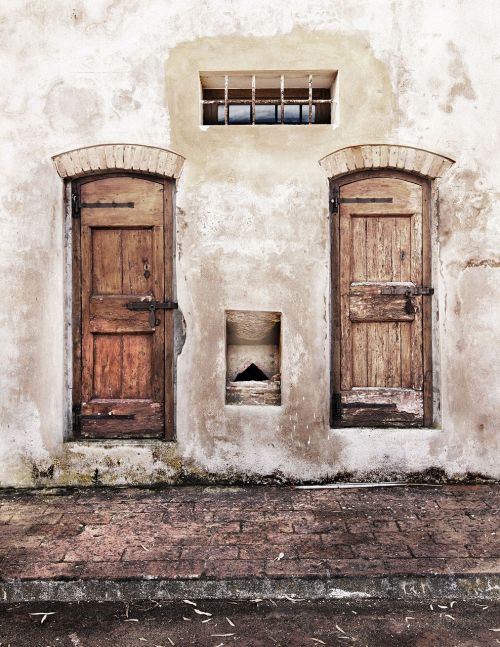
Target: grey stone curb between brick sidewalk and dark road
(424, 587)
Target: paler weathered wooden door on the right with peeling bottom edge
(381, 272)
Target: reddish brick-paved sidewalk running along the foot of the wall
(246, 535)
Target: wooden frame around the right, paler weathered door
(427, 309)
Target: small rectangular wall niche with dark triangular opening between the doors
(253, 373)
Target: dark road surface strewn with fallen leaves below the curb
(436, 623)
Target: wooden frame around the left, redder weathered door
(73, 306)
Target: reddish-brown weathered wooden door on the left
(123, 266)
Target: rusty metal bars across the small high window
(281, 102)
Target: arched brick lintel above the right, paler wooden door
(379, 156)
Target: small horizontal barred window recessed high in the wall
(268, 98)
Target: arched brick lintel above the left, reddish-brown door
(118, 157)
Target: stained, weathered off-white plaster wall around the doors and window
(251, 222)
